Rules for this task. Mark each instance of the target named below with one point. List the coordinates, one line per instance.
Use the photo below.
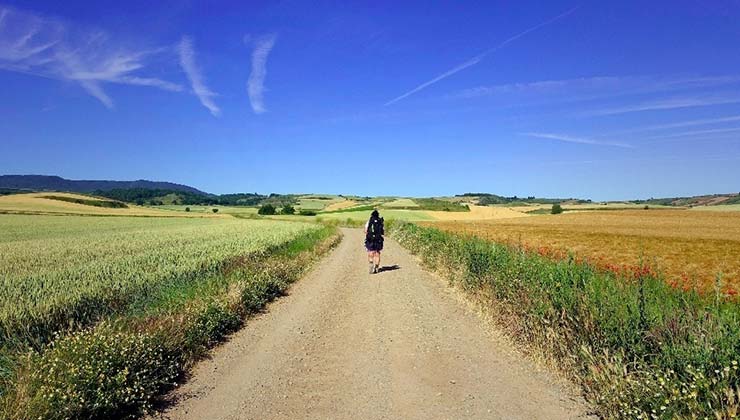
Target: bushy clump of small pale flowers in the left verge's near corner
(100, 373)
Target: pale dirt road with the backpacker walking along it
(348, 345)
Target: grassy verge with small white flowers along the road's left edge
(119, 367)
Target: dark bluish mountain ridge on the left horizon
(56, 183)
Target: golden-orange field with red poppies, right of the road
(687, 247)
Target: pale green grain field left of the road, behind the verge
(59, 269)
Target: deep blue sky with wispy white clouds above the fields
(560, 99)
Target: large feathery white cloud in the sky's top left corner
(47, 47)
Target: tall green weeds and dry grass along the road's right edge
(639, 347)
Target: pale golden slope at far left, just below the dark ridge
(35, 203)
